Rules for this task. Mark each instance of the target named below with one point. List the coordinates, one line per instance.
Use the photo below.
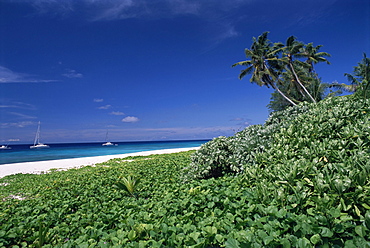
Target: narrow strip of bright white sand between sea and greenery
(44, 166)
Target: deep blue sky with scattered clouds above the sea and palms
(154, 69)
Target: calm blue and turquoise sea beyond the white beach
(23, 153)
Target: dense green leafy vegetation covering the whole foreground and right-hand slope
(300, 180)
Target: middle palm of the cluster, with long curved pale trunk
(292, 49)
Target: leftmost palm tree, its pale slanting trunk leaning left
(260, 54)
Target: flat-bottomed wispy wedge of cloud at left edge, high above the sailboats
(9, 76)
